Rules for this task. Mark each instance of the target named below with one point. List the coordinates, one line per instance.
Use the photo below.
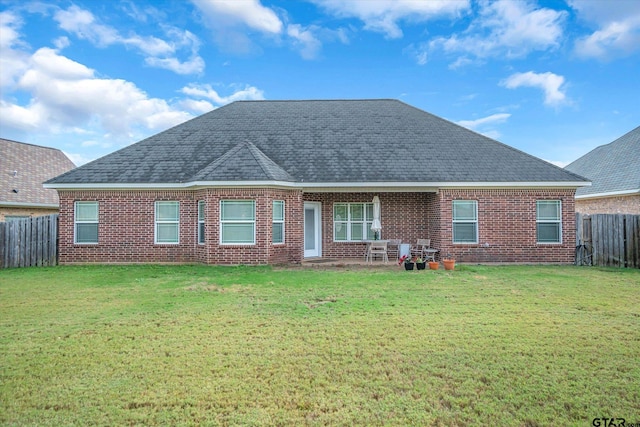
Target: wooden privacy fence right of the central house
(610, 240)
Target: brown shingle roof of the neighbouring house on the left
(24, 168)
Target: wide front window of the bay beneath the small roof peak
(237, 222)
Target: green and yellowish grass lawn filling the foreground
(198, 345)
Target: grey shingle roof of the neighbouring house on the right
(613, 168)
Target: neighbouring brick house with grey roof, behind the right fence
(614, 170)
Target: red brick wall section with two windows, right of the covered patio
(507, 223)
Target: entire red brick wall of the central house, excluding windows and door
(507, 223)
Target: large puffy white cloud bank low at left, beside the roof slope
(63, 98)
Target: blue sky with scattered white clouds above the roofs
(552, 78)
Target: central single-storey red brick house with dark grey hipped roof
(265, 182)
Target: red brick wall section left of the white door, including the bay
(126, 228)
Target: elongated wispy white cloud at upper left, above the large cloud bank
(158, 53)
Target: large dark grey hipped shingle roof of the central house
(324, 143)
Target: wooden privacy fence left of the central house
(29, 242)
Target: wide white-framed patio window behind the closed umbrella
(352, 222)
